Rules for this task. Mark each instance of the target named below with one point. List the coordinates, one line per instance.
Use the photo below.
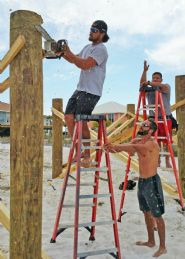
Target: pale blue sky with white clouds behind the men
(152, 30)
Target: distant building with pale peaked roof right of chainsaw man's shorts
(112, 110)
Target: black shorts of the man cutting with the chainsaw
(81, 103)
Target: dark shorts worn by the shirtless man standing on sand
(150, 195)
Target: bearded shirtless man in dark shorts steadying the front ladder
(150, 194)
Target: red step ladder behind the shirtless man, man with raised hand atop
(158, 105)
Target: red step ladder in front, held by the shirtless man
(77, 142)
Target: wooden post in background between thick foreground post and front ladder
(57, 134)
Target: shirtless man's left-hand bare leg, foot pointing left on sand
(149, 225)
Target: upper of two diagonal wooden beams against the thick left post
(14, 50)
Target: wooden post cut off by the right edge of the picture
(180, 95)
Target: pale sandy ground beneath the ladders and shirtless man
(131, 229)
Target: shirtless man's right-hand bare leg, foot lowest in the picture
(161, 231)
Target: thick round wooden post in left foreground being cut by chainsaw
(26, 139)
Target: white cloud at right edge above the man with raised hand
(170, 54)
